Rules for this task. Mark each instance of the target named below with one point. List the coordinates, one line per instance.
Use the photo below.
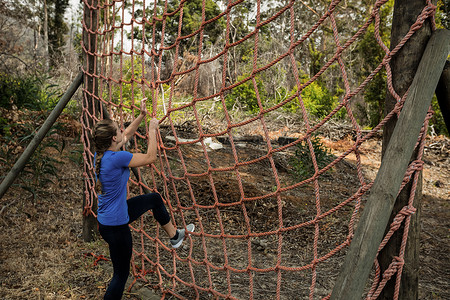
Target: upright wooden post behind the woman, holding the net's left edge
(91, 104)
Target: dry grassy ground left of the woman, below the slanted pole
(42, 255)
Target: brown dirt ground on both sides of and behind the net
(43, 256)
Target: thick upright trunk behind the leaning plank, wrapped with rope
(404, 65)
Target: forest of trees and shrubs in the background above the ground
(40, 54)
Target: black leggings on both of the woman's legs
(120, 242)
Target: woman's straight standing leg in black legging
(120, 250)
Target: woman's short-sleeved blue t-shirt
(114, 175)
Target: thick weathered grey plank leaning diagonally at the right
(359, 260)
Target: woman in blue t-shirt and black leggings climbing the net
(115, 212)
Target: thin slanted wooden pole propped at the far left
(37, 139)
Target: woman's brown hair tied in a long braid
(103, 133)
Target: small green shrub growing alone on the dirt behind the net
(302, 164)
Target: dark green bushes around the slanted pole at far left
(26, 102)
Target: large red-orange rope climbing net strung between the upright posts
(272, 238)
